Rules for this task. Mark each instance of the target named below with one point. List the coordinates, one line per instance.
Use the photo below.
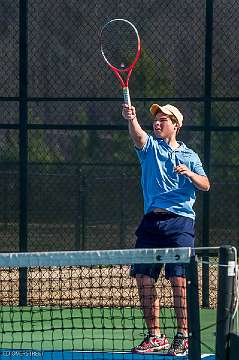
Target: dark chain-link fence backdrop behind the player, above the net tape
(69, 176)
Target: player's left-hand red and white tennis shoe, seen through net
(152, 343)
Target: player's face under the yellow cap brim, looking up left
(163, 126)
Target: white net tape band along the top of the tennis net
(91, 258)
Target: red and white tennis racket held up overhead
(120, 47)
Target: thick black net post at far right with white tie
(227, 263)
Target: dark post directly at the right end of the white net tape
(194, 351)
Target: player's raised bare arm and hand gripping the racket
(138, 135)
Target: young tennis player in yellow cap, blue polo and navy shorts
(171, 175)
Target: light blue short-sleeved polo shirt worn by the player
(162, 186)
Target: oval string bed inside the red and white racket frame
(119, 43)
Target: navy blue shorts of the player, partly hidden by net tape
(163, 230)
